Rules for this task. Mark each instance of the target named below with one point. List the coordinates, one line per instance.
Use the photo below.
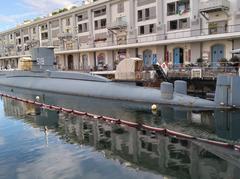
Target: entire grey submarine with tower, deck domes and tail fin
(44, 77)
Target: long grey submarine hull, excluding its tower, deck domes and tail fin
(94, 86)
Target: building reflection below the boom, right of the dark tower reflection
(168, 156)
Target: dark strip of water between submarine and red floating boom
(217, 124)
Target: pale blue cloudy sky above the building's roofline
(14, 12)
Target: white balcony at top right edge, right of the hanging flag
(214, 5)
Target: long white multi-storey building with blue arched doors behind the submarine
(97, 35)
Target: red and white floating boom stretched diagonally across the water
(163, 131)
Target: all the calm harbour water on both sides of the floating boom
(78, 147)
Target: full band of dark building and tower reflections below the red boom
(139, 149)
